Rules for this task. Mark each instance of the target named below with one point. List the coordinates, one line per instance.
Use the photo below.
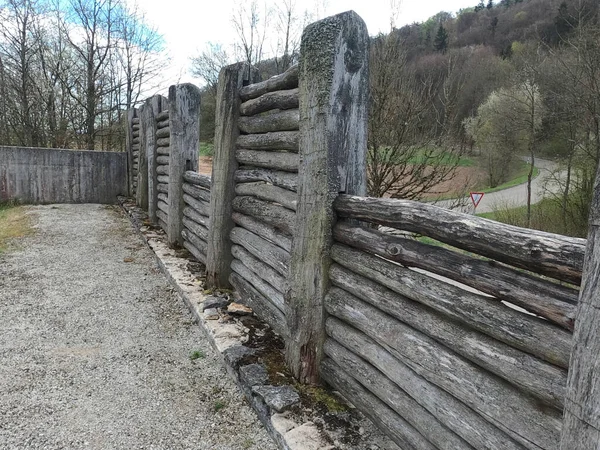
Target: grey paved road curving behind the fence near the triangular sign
(511, 197)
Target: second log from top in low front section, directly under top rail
(547, 299)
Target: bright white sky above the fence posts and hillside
(187, 25)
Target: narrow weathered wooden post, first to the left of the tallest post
(218, 261)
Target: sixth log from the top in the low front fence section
(453, 413)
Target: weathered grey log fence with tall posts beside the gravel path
(462, 340)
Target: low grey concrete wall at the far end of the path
(42, 175)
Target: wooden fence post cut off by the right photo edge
(581, 418)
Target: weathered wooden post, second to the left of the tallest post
(184, 123)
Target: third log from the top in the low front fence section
(525, 332)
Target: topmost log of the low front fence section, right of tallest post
(553, 255)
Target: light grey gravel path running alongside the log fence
(95, 347)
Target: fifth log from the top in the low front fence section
(525, 419)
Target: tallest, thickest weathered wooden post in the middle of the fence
(334, 91)
